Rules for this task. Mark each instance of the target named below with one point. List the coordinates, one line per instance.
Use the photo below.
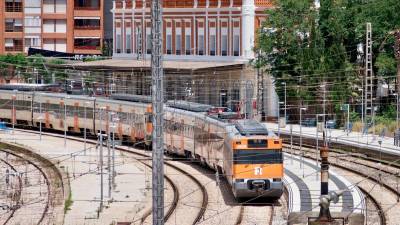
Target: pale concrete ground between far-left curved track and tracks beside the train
(128, 195)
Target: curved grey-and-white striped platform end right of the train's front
(302, 178)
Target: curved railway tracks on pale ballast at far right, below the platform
(368, 177)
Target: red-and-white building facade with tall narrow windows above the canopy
(202, 30)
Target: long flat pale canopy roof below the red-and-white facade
(129, 64)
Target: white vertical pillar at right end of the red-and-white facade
(248, 14)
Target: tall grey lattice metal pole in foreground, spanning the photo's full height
(158, 111)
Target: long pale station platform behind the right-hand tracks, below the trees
(355, 139)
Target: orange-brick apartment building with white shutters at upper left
(73, 26)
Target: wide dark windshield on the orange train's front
(257, 156)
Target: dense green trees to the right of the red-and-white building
(306, 46)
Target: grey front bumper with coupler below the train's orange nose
(248, 188)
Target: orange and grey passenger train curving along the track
(247, 154)
